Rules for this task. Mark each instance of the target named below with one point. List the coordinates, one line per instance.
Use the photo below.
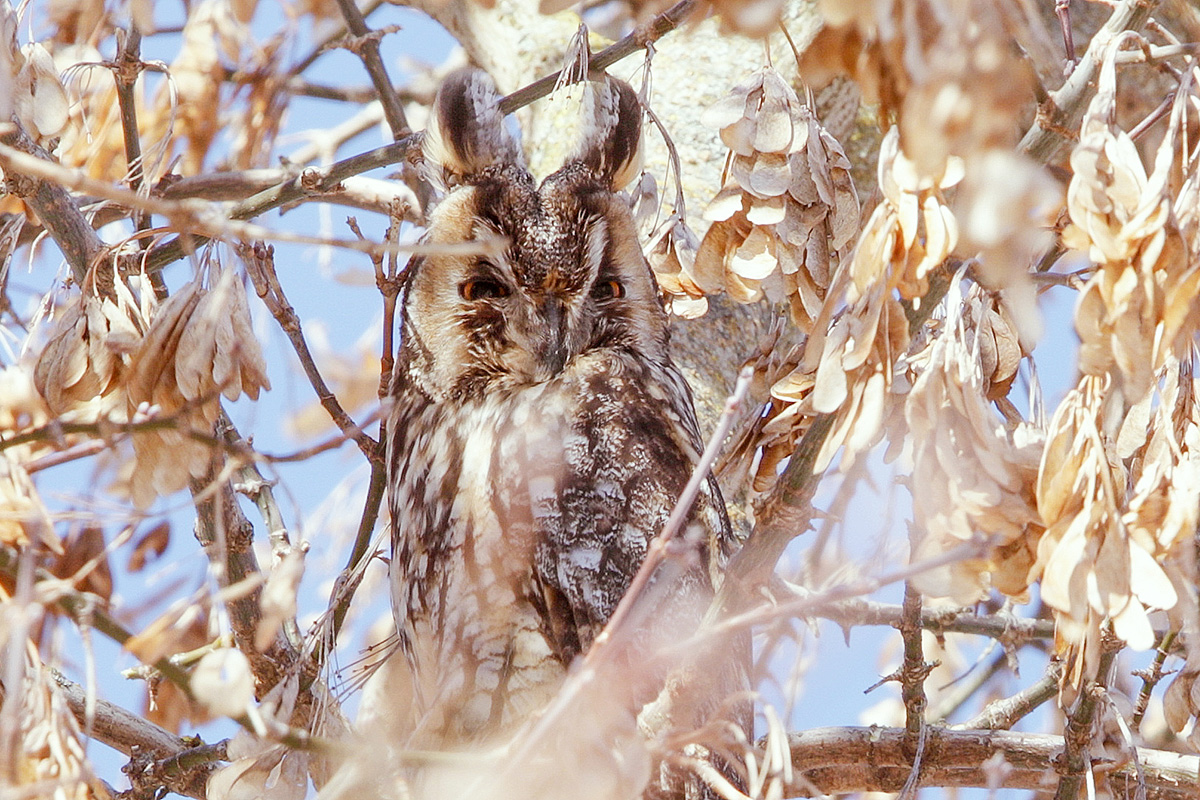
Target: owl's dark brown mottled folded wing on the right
(602, 491)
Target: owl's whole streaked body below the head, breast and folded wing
(520, 520)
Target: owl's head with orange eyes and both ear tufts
(565, 274)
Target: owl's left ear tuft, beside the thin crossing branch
(466, 133)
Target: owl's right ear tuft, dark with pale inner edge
(611, 140)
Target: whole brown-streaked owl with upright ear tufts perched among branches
(539, 434)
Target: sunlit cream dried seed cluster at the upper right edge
(1139, 308)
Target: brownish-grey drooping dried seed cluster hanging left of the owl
(119, 357)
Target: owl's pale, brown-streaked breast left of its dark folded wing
(461, 570)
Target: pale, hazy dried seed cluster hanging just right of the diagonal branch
(976, 474)
